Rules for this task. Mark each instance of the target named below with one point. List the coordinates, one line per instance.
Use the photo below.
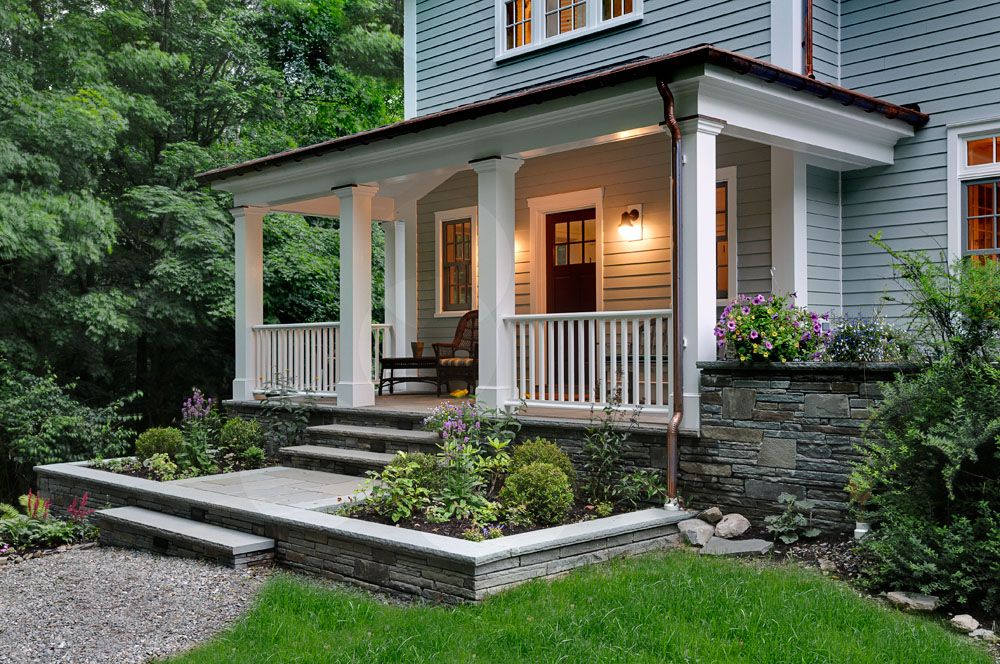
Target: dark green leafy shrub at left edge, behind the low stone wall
(41, 423)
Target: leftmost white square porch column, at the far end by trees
(249, 230)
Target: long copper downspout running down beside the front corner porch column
(673, 429)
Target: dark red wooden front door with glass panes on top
(571, 263)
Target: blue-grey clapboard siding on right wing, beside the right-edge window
(946, 57)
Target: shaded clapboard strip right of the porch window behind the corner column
(753, 211)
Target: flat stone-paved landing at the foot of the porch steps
(306, 489)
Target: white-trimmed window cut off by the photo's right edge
(974, 190)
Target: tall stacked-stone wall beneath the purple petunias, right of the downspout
(768, 429)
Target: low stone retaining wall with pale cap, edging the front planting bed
(377, 556)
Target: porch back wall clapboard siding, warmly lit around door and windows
(636, 274)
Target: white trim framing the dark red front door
(540, 206)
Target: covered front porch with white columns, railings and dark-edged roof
(552, 215)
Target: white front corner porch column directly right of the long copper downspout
(698, 261)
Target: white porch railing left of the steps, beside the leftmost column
(302, 357)
